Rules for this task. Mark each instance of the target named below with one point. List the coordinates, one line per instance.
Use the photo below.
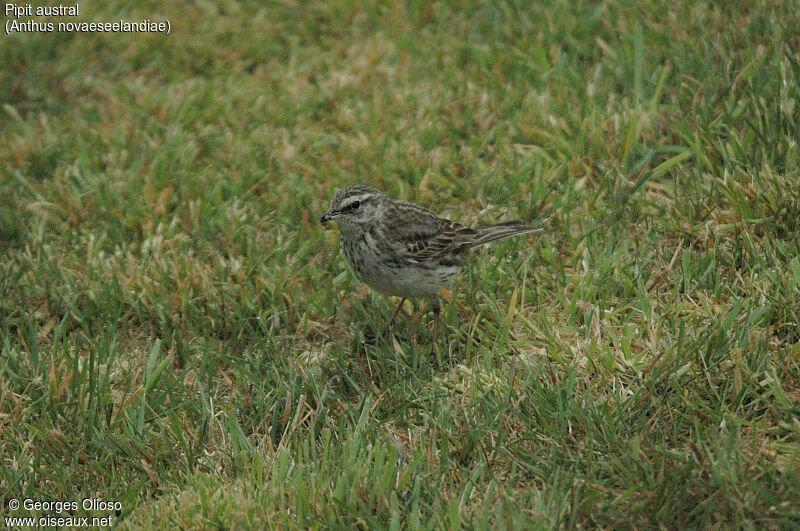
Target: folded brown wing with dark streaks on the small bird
(425, 236)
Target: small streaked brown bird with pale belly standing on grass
(401, 249)
